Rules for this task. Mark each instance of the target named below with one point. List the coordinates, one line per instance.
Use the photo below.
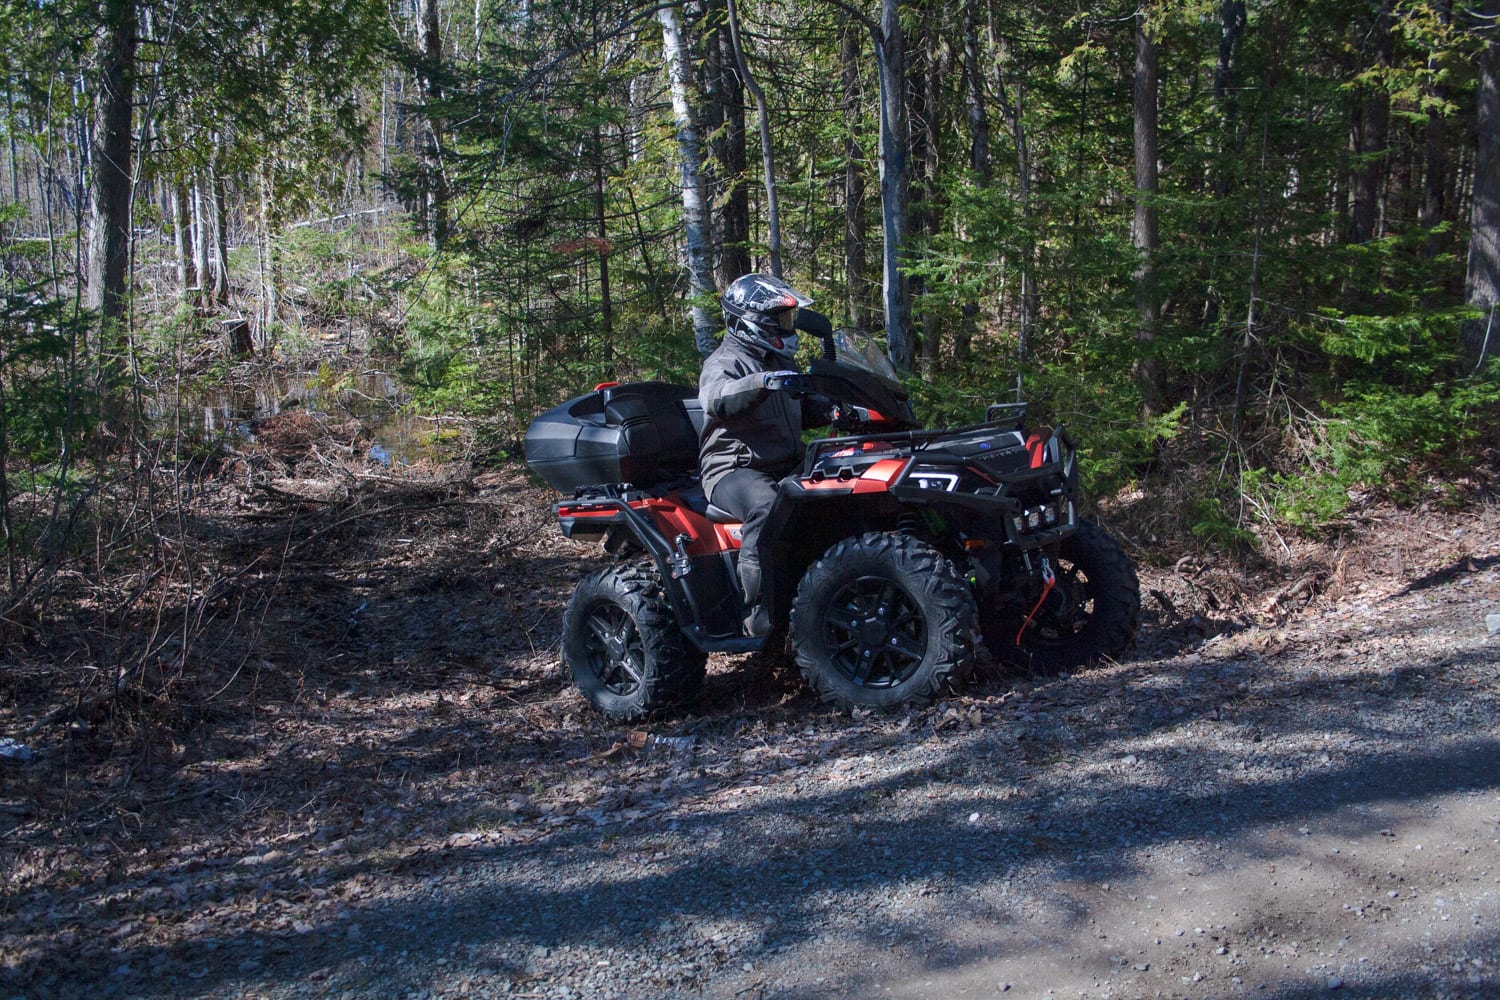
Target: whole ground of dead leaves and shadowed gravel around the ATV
(374, 782)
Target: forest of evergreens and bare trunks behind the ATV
(1244, 248)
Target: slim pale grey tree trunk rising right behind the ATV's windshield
(890, 52)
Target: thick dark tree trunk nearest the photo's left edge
(110, 157)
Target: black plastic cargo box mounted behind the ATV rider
(635, 433)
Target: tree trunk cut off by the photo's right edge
(1483, 283)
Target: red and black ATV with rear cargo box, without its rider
(887, 554)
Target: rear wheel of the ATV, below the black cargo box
(623, 645)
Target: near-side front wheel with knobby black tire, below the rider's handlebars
(883, 621)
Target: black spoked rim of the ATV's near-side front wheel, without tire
(875, 633)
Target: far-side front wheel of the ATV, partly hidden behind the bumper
(1091, 612)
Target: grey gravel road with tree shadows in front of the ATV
(1303, 807)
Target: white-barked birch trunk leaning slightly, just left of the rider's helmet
(700, 251)
